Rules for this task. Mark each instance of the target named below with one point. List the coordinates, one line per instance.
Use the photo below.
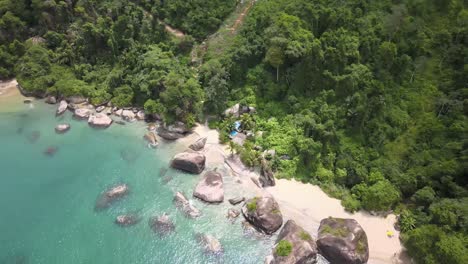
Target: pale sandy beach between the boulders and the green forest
(305, 203)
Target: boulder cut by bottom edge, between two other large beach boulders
(303, 250)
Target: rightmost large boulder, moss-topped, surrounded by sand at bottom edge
(342, 241)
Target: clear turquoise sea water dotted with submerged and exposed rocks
(47, 202)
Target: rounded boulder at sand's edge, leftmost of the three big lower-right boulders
(263, 213)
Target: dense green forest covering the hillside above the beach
(366, 98)
